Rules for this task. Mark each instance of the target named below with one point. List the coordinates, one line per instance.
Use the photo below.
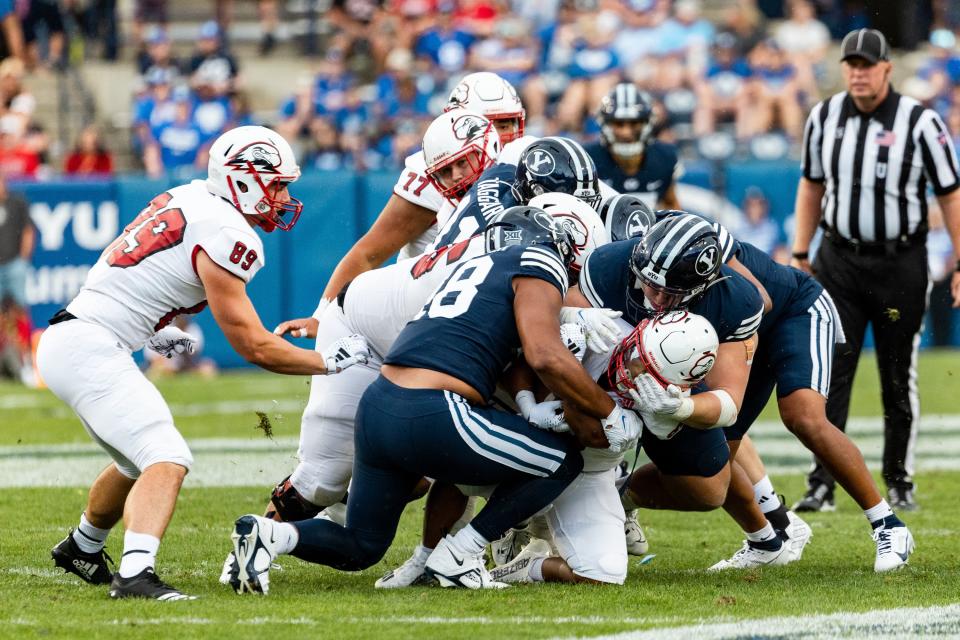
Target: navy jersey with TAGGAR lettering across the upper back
(489, 195)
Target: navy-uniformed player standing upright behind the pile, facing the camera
(627, 156)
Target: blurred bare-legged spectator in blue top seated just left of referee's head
(772, 95)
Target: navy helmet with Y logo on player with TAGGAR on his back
(557, 165)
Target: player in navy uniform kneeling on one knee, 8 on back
(426, 415)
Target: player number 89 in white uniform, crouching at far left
(191, 246)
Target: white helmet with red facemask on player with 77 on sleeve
(454, 135)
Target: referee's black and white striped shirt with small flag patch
(876, 167)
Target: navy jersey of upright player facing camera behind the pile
(659, 170)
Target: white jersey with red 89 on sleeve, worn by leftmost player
(148, 276)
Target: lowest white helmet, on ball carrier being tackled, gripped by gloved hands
(677, 347)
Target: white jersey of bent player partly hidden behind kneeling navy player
(380, 302)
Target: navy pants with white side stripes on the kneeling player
(405, 434)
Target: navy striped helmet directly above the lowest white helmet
(676, 260)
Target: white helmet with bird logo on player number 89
(247, 167)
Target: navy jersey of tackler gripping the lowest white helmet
(731, 304)
